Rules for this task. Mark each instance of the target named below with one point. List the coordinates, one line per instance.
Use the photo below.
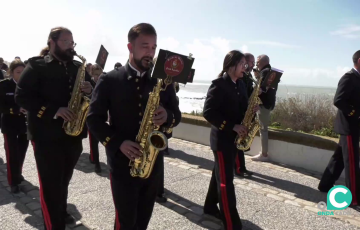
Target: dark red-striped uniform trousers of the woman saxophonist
(221, 190)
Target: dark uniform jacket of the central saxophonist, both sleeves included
(125, 95)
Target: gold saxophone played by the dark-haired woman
(250, 121)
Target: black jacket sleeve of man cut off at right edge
(342, 97)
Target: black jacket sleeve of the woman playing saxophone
(212, 109)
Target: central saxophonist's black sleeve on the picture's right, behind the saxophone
(172, 109)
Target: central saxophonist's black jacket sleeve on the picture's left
(98, 114)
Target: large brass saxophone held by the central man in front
(149, 137)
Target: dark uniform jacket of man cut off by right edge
(347, 100)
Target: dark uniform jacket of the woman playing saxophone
(225, 106)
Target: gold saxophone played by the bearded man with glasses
(78, 104)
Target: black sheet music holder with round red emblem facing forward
(172, 64)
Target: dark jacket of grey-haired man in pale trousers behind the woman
(268, 96)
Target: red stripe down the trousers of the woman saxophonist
(223, 191)
